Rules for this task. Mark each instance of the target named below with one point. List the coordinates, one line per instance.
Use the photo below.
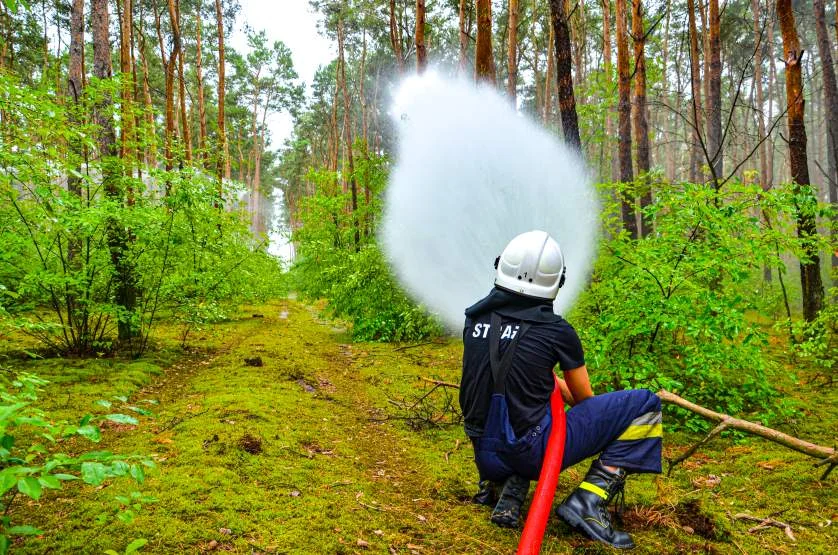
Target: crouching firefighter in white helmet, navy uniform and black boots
(512, 341)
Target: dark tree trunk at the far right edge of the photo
(830, 97)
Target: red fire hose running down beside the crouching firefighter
(542, 500)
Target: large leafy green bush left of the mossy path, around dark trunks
(71, 253)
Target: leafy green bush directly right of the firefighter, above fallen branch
(674, 310)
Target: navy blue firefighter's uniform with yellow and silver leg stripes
(624, 426)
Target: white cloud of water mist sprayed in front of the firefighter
(471, 174)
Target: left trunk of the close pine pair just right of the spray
(624, 110)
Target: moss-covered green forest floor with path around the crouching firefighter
(311, 453)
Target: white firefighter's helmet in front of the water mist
(531, 264)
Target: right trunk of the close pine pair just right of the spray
(641, 125)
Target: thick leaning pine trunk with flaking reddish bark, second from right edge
(806, 201)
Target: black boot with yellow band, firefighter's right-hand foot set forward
(586, 508)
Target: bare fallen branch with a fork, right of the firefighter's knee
(827, 455)
